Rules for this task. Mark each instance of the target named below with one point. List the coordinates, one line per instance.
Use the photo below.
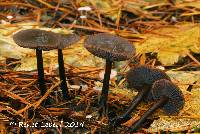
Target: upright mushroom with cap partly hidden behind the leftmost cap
(66, 40)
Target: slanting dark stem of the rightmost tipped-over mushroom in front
(157, 105)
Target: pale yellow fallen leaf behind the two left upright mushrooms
(76, 55)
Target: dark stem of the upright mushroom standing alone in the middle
(105, 88)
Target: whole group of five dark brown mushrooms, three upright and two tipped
(151, 84)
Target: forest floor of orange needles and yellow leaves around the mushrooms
(165, 33)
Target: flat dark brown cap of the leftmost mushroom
(35, 38)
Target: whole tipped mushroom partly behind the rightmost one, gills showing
(140, 78)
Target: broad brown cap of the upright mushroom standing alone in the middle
(109, 46)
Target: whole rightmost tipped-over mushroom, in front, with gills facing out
(169, 98)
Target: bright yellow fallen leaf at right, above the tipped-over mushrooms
(171, 42)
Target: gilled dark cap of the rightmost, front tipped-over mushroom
(175, 97)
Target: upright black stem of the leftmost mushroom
(41, 81)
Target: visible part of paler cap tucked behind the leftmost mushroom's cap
(68, 39)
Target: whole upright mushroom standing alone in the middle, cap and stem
(112, 48)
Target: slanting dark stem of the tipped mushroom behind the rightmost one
(133, 105)
